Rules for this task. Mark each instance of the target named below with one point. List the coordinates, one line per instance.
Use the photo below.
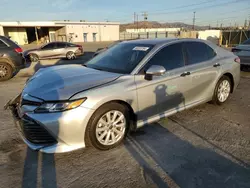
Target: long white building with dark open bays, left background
(29, 32)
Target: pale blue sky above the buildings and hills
(207, 11)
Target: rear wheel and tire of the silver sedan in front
(222, 90)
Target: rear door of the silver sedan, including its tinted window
(204, 70)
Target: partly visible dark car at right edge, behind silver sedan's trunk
(243, 51)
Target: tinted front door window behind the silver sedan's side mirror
(170, 57)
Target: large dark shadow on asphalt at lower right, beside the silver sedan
(187, 165)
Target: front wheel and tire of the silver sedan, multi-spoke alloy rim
(94, 137)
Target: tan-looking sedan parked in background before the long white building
(54, 50)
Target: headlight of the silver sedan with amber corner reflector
(60, 106)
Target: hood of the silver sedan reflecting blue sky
(62, 82)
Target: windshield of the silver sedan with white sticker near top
(121, 58)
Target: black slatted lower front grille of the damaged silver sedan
(35, 133)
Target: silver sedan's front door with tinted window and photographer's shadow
(166, 93)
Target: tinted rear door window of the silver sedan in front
(198, 52)
